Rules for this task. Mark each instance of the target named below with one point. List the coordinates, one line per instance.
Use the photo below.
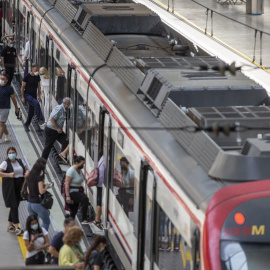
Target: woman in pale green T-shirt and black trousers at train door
(74, 192)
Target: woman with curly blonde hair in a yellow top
(71, 254)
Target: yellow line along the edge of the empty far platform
(231, 48)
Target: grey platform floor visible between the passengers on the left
(29, 147)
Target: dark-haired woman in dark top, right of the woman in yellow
(93, 257)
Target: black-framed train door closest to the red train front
(146, 224)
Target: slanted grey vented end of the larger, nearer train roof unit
(154, 91)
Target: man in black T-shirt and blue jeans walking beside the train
(29, 89)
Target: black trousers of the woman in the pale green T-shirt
(79, 198)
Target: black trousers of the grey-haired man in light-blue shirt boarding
(51, 136)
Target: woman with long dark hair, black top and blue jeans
(36, 188)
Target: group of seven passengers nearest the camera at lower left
(64, 248)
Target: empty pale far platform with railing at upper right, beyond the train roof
(230, 38)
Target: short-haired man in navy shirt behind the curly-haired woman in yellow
(57, 241)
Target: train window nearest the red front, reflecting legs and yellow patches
(170, 240)
